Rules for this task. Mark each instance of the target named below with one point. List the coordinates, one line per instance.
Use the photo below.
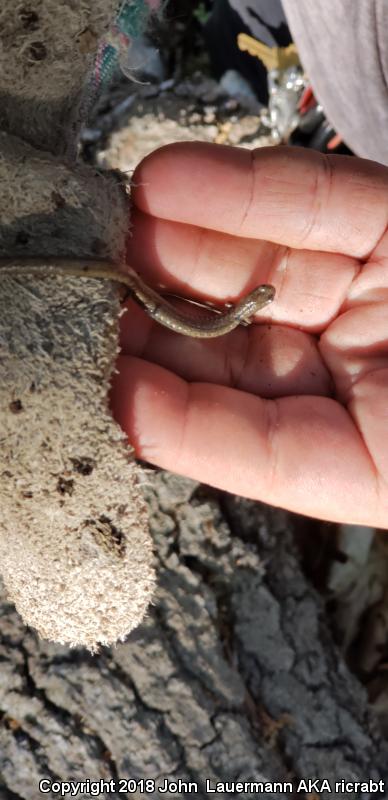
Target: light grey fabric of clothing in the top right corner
(343, 46)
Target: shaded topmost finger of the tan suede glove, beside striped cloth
(48, 49)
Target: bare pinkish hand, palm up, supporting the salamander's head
(293, 410)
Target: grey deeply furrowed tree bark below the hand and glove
(232, 676)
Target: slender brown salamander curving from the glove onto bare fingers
(159, 308)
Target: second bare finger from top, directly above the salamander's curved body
(211, 266)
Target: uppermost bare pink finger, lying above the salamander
(287, 195)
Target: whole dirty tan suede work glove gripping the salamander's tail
(75, 552)
